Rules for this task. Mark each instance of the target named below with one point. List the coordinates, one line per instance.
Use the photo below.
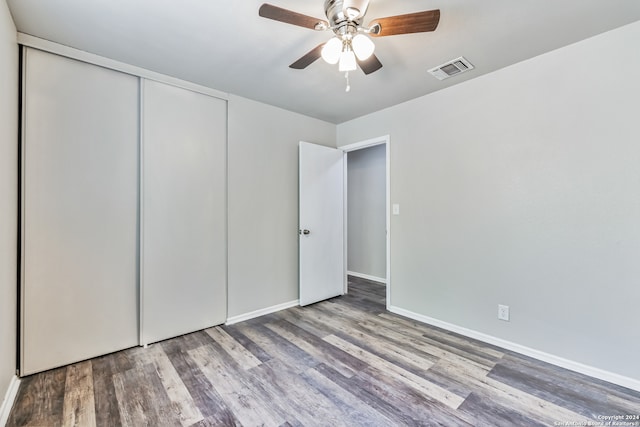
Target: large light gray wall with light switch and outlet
(522, 187)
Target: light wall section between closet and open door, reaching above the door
(263, 201)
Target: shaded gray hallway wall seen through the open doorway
(366, 220)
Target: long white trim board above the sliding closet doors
(80, 55)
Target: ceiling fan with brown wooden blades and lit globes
(351, 44)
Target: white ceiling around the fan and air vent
(225, 45)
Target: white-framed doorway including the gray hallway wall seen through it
(367, 210)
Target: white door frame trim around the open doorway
(359, 146)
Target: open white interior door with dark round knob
(322, 273)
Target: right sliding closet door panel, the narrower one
(184, 211)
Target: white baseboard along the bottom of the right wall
(611, 377)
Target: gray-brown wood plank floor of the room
(342, 362)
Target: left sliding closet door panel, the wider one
(80, 165)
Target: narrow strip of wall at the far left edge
(8, 195)
